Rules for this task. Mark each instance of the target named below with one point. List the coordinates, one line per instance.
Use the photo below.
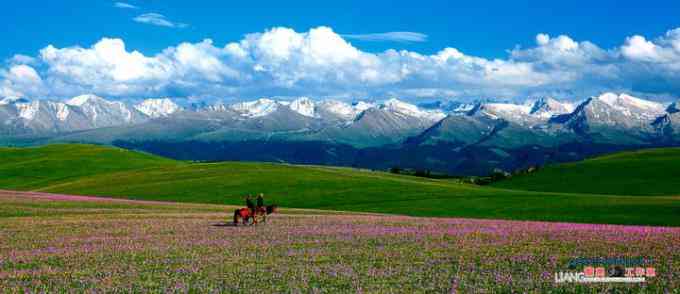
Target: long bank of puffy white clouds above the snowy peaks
(321, 63)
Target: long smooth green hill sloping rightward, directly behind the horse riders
(105, 171)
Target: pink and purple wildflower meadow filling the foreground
(50, 244)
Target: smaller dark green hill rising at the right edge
(642, 172)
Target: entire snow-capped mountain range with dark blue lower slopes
(452, 137)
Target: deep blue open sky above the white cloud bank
(485, 28)
